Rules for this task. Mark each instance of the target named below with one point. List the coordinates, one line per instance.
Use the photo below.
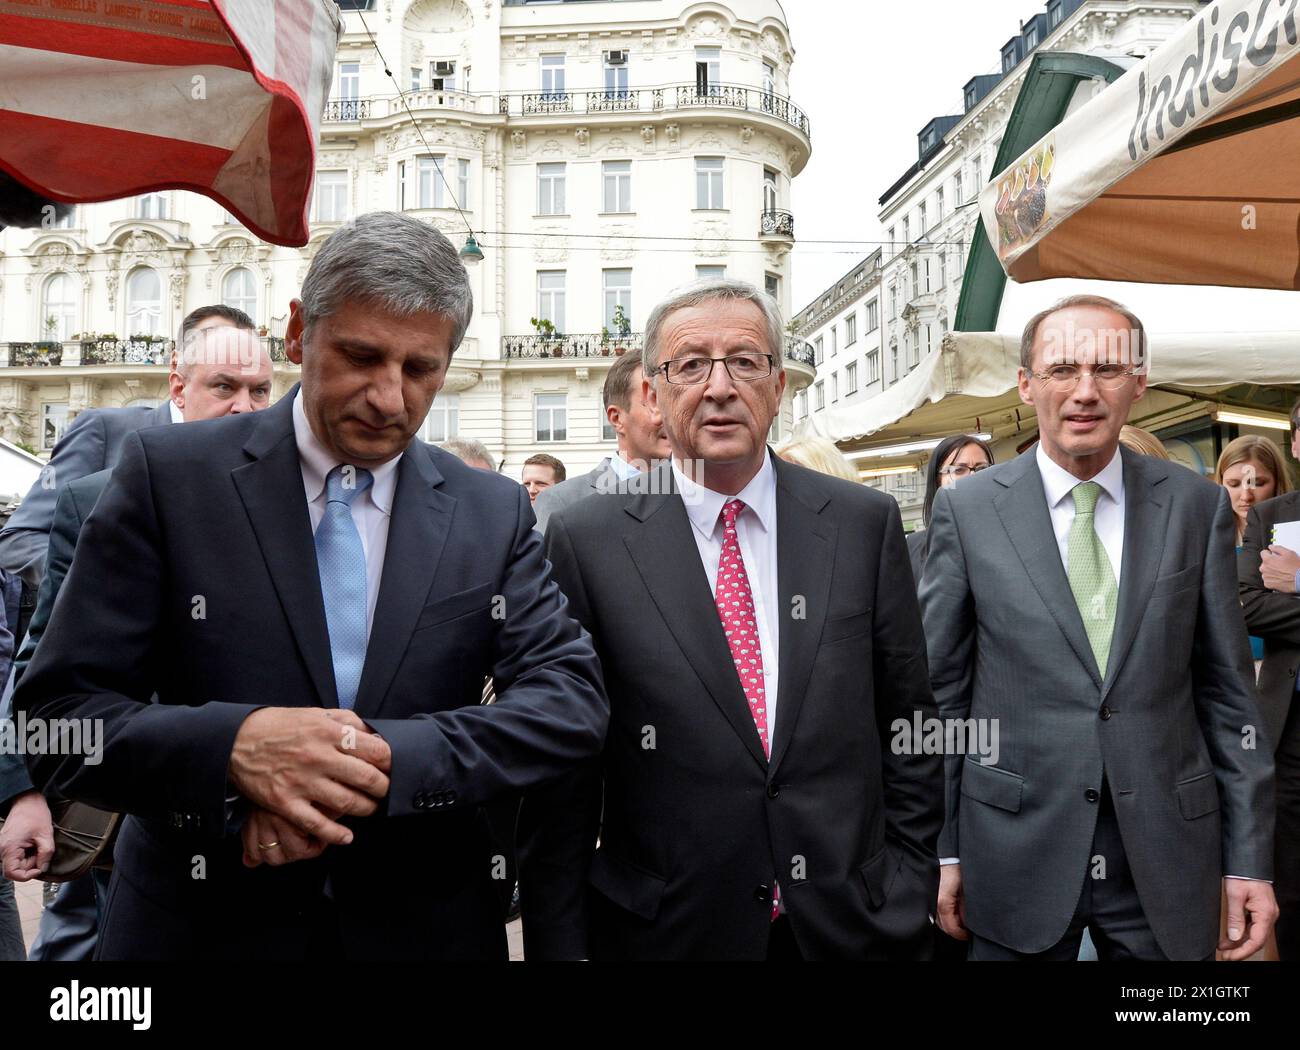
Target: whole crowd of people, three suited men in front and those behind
(707, 701)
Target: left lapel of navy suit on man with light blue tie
(276, 504)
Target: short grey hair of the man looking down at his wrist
(395, 262)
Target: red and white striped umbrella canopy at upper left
(103, 99)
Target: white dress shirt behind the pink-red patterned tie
(756, 531)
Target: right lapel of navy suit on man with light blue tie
(418, 532)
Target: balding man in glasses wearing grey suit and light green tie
(1081, 602)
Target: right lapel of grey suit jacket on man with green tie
(1146, 528)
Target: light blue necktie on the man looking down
(341, 562)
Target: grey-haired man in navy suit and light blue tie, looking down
(315, 597)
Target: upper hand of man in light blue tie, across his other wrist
(311, 766)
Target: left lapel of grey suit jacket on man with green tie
(1024, 509)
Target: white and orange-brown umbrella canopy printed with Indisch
(1182, 172)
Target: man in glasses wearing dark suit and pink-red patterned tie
(760, 636)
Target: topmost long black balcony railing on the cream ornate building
(578, 103)
